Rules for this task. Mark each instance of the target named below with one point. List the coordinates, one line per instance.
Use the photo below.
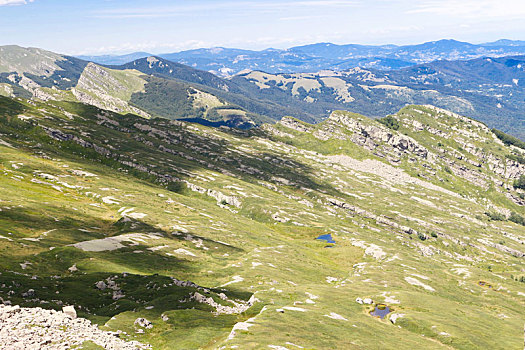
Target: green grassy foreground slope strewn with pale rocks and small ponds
(237, 212)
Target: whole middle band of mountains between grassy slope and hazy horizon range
(487, 89)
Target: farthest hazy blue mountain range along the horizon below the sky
(321, 56)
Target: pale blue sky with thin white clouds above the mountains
(79, 27)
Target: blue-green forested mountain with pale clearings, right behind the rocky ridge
(487, 89)
